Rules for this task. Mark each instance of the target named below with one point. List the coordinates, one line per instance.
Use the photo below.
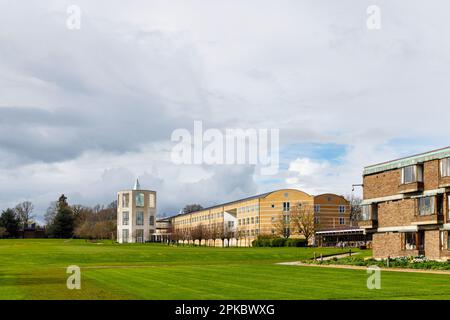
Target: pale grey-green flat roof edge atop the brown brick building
(408, 161)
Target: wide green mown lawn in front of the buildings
(36, 269)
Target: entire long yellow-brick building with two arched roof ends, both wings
(239, 222)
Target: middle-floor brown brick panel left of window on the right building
(396, 213)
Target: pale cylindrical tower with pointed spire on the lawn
(136, 215)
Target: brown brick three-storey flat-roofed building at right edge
(406, 206)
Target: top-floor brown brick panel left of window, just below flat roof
(381, 184)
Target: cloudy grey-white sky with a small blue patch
(84, 112)
